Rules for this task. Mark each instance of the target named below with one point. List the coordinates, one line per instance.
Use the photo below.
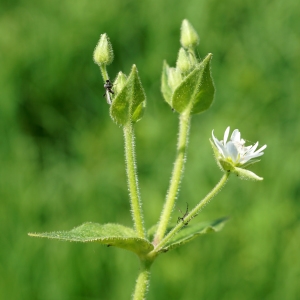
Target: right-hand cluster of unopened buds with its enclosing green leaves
(189, 86)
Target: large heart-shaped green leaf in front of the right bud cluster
(196, 91)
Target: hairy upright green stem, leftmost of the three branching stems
(135, 202)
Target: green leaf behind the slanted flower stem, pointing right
(190, 232)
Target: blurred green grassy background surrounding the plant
(62, 160)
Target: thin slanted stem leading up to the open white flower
(193, 213)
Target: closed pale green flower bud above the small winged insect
(103, 53)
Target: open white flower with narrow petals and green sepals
(232, 154)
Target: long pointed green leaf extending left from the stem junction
(107, 234)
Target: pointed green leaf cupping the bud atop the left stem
(130, 102)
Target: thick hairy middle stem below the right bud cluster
(184, 126)
